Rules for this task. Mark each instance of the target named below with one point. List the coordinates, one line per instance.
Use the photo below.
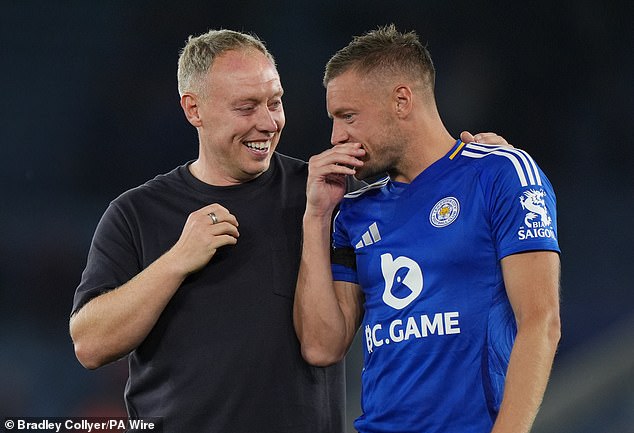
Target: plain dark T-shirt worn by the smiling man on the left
(223, 356)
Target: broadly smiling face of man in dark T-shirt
(240, 117)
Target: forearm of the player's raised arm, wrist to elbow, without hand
(321, 325)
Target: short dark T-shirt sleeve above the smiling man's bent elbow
(112, 259)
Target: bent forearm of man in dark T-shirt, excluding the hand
(113, 324)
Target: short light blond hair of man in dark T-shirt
(200, 51)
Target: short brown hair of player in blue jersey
(381, 52)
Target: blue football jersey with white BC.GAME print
(438, 325)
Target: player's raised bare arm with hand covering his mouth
(326, 313)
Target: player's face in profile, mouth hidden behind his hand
(361, 112)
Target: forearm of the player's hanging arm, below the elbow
(527, 376)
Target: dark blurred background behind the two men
(89, 108)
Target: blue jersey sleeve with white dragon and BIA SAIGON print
(522, 207)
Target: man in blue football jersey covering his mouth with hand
(450, 265)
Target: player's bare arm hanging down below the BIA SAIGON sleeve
(532, 284)
